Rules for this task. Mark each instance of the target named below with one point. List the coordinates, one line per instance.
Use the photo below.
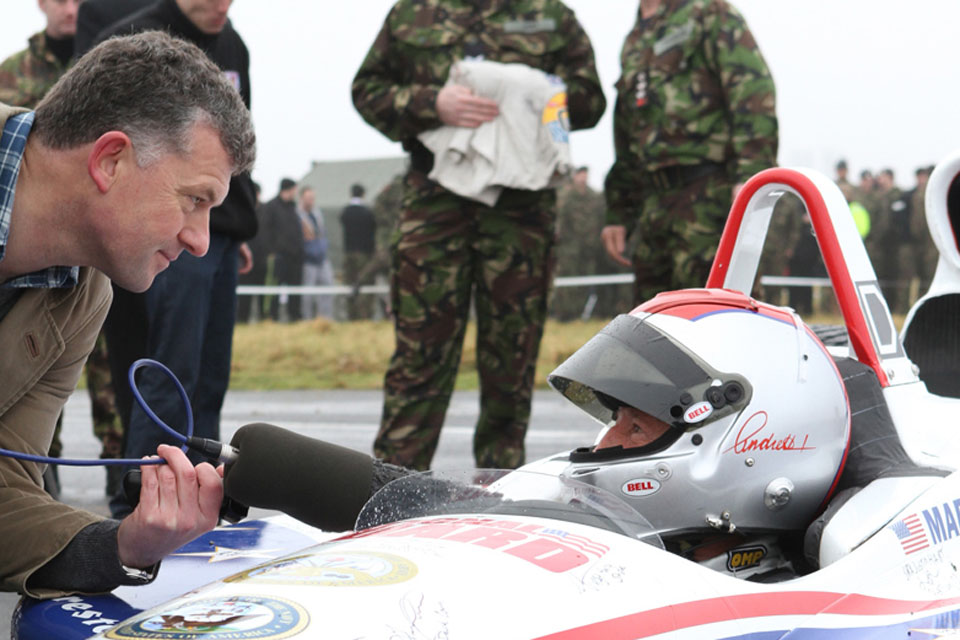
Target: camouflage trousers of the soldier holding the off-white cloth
(445, 250)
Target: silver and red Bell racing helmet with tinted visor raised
(756, 417)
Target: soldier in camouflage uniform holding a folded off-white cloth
(447, 247)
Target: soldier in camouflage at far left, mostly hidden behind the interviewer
(25, 77)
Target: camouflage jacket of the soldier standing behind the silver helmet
(694, 88)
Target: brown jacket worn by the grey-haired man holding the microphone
(44, 341)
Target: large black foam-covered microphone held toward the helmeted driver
(321, 484)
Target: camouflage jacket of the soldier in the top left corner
(25, 77)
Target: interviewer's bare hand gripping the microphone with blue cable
(178, 502)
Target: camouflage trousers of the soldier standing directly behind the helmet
(678, 233)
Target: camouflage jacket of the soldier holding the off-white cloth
(396, 87)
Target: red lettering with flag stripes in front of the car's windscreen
(555, 550)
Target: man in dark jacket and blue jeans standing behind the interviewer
(185, 320)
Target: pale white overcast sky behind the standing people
(873, 81)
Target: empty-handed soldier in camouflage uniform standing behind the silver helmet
(695, 116)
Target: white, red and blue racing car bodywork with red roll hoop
(532, 554)
